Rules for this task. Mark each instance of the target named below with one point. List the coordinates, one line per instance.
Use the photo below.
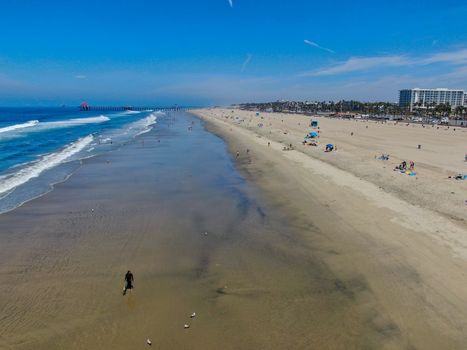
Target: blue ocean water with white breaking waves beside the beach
(40, 147)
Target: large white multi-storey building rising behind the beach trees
(410, 98)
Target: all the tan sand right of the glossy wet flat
(403, 261)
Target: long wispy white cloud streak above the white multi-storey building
(361, 64)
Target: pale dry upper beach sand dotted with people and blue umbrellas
(442, 154)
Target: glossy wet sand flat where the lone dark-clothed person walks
(252, 282)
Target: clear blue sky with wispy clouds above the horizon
(219, 52)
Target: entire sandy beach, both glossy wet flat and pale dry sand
(289, 253)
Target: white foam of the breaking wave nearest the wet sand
(11, 181)
